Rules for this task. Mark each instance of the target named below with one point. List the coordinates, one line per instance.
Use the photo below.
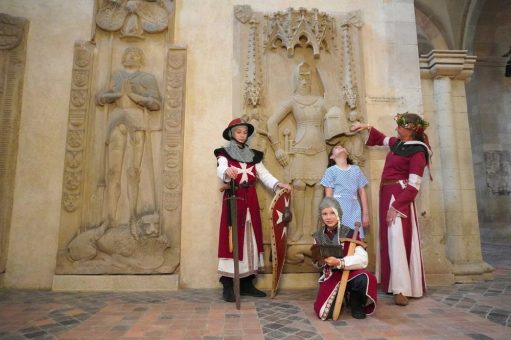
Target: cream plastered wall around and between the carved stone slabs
(389, 72)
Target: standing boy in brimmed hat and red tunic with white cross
(239, 163)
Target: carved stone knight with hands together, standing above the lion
(135, 95)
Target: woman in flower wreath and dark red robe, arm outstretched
(400, 268)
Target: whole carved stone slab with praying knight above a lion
(121, 204)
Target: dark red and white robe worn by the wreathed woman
(399, 264)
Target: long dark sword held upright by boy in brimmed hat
(233, 215)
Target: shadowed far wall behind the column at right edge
(490, 116)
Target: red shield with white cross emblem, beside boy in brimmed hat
(280, 214)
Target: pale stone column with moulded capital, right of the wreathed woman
(448, 71)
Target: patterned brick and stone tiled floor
(468, 311)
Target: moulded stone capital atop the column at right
(455, 64)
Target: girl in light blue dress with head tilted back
(346, 183)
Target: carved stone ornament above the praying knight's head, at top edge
(134, 17)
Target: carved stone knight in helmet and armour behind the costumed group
(306, 157)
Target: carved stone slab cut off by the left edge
(13, 40)
